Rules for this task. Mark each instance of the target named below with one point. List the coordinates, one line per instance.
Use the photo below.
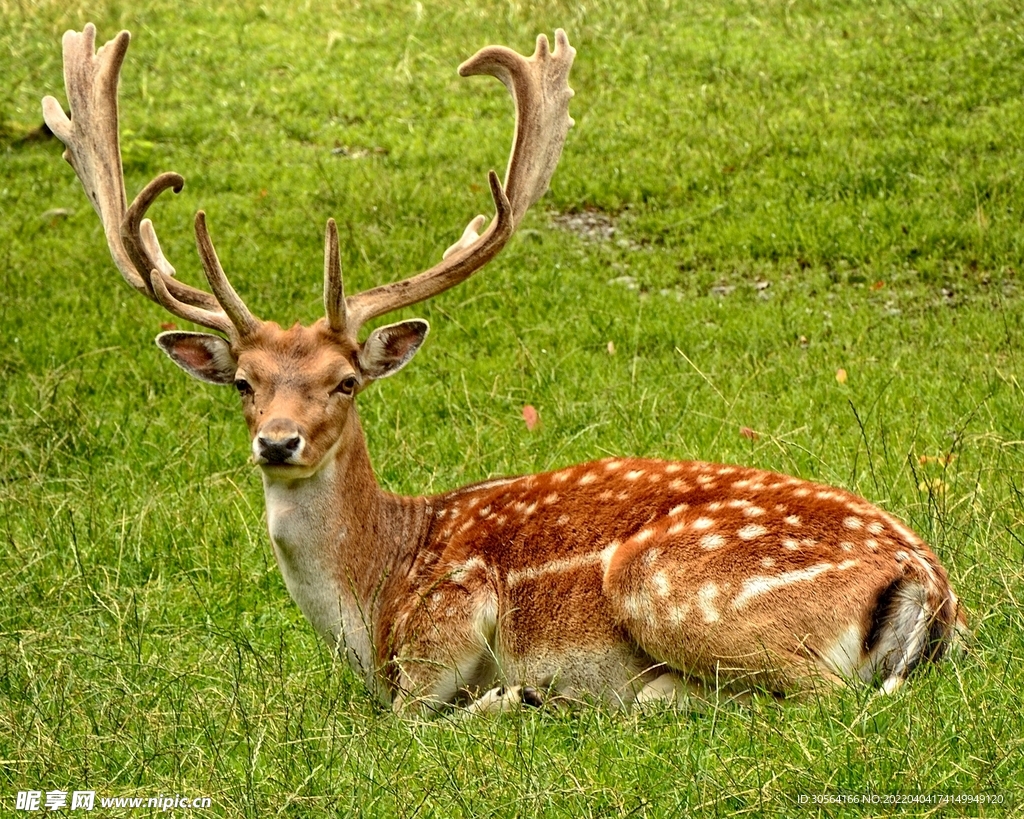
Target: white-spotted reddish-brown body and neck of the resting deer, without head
(712, 574)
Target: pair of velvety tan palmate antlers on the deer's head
(540, 91)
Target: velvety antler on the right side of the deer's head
(540, 92)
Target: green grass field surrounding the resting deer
(756, 196)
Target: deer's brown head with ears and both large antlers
(297, 385)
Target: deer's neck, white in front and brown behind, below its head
(338, 539)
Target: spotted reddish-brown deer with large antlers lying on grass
(624, 581)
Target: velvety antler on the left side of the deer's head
(94, 150)
